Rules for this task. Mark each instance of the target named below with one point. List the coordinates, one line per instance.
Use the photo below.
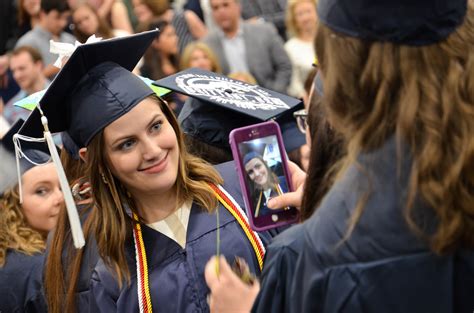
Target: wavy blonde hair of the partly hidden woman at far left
(15, 233)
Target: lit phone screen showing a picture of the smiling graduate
(265, 179)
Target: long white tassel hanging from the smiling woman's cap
(74, 221)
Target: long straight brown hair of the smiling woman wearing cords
(108, 222)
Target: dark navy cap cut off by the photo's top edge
(409, 22)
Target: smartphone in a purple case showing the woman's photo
(261, 163)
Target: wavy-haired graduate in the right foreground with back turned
(395, 233)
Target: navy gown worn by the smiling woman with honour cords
(176, 275)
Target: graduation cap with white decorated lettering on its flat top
(218, 104)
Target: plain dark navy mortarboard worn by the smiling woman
(93, 89)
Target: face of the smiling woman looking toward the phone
(142, 150)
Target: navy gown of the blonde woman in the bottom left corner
(21, 283)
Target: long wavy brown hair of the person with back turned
(424, 96)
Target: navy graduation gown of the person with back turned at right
(382, 266)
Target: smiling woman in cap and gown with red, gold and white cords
(152, 220)
